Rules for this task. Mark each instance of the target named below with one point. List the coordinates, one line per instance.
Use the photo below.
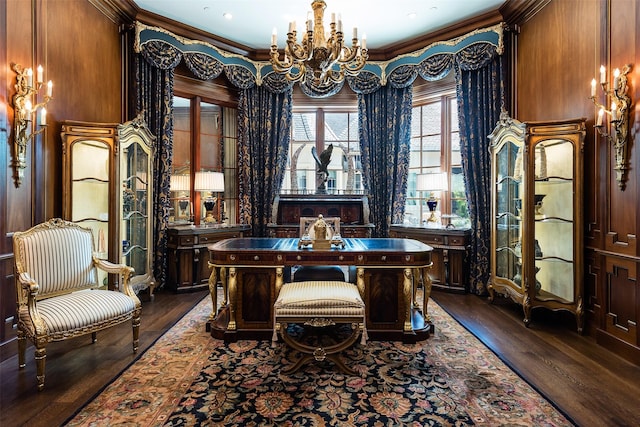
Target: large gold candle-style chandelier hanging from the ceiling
(324, 58)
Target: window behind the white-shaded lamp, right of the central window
(435, 147)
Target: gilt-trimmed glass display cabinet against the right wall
(536, 210)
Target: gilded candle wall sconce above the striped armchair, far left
(25, 114)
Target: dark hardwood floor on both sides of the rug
(589, 384)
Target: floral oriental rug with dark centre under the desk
(188, 378)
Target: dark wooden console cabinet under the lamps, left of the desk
(187, 255)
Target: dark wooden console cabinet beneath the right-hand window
(450, 255)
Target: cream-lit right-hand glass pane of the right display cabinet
(553, 220)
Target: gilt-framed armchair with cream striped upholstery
(58, 295)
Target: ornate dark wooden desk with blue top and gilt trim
(252, 270)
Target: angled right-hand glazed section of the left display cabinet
(135, 202)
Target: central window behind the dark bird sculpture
(317, 129)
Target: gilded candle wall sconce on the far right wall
(619, 116)
